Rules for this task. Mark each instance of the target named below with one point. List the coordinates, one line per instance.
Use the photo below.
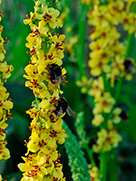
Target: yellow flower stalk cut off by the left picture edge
(5, 102)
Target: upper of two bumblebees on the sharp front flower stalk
(55, 74)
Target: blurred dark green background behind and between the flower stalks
(14, 12)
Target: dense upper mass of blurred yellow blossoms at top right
(105, 46)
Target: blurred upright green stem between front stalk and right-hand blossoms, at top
(81, 31)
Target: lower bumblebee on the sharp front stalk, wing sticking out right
(62, 107)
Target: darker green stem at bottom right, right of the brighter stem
(113, 166)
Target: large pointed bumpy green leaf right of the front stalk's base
(77, 162)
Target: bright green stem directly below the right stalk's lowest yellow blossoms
(103, 165)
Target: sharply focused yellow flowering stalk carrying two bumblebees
(44, 75)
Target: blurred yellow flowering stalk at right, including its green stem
(109, 63)
